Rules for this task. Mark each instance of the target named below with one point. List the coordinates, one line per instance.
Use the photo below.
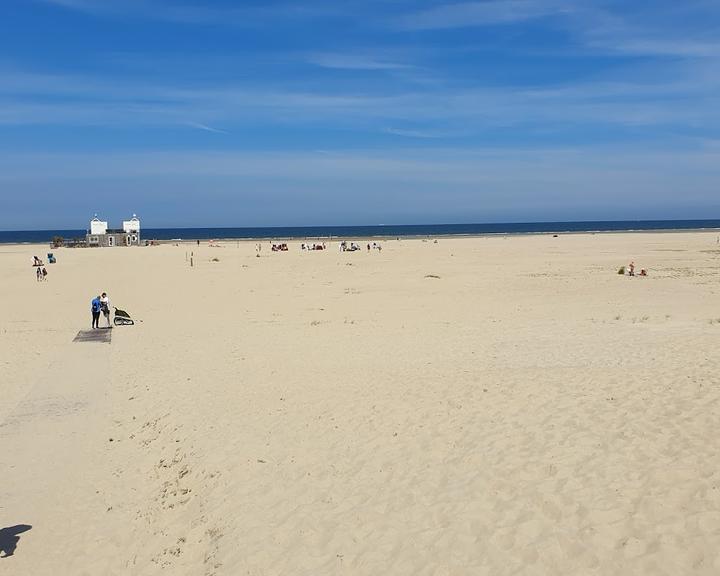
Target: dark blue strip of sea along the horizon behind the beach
(404, 231)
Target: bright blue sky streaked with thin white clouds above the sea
(360, 112)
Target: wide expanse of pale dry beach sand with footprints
(527, 412)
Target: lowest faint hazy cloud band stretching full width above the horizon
(440, 164)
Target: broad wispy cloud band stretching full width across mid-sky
(28, 99)
